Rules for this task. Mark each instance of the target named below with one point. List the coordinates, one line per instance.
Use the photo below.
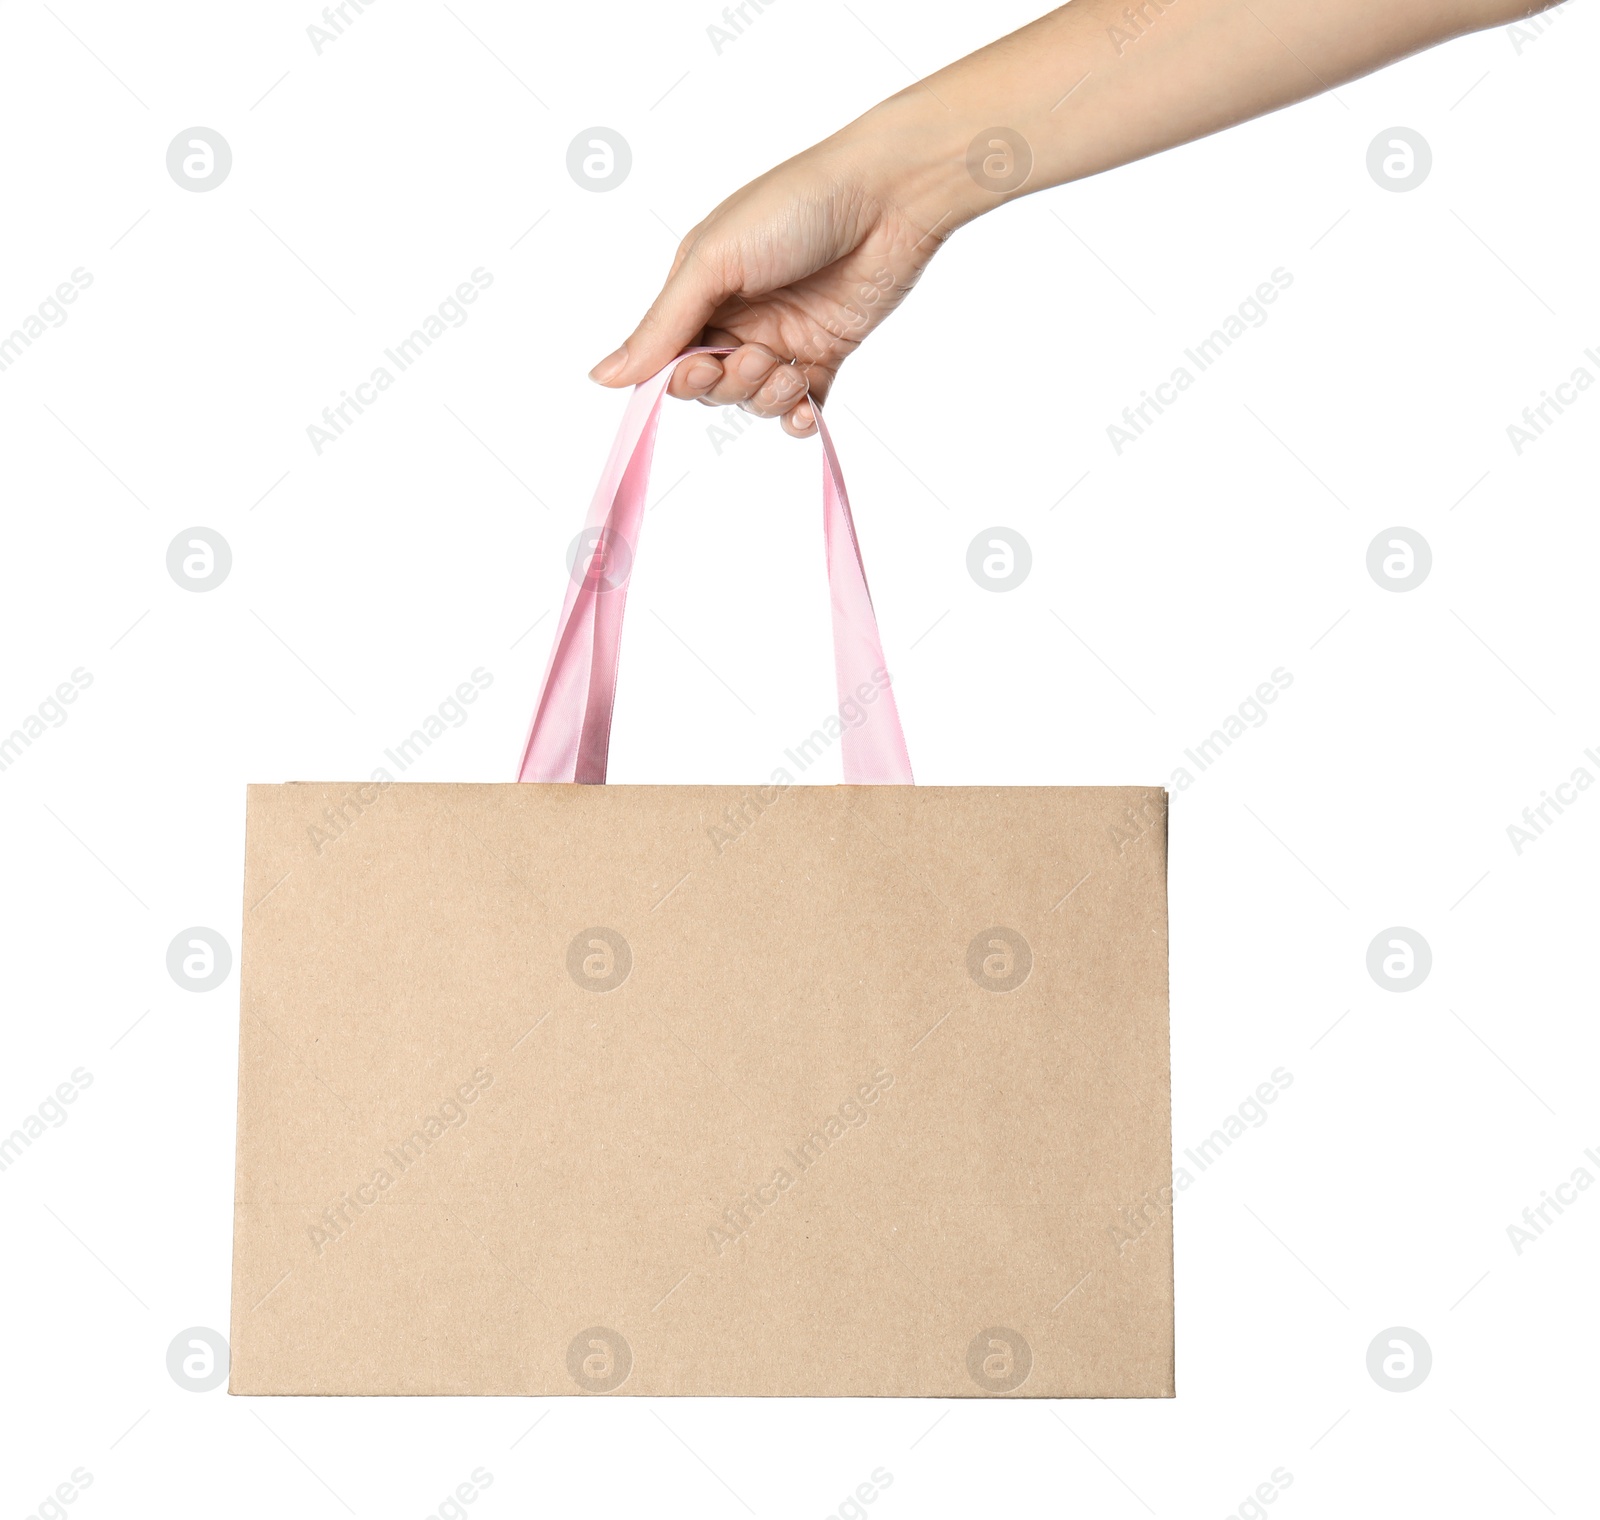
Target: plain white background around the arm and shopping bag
(1167, 583)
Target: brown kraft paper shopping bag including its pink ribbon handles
(782, 1090)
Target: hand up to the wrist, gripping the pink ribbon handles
(791, 273)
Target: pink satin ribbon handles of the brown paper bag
(570, 738)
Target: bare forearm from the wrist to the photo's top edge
(1103, 82)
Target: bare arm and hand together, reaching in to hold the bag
(796, 270)
